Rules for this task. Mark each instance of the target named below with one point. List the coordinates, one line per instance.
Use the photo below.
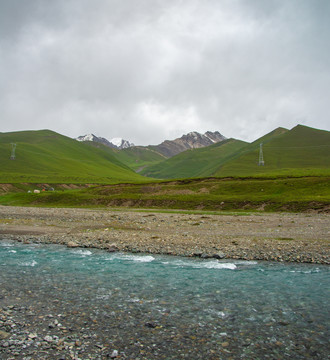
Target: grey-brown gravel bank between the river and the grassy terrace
(259, 236)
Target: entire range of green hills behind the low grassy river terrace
(46, 156)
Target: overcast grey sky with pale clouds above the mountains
(150, 70)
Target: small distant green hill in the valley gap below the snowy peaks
(137, 157)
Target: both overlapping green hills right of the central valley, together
(301, 151)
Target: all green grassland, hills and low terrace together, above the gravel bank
(222, 177)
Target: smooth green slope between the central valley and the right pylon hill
(195, 162)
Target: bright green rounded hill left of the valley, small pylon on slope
(46, 156)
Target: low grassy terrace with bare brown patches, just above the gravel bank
(207, 194)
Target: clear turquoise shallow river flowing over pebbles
(162, 307)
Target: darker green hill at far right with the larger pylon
(298, 152)
